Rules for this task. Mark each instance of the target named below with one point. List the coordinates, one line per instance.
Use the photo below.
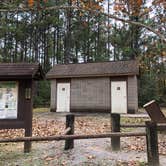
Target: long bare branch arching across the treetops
(96, 12)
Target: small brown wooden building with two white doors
(104, 87)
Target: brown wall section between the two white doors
(90, 94)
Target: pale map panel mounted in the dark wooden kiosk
(8, 99)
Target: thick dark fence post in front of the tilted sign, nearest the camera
(152, 143)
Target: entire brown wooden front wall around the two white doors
(93, 94)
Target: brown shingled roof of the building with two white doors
(112, 68)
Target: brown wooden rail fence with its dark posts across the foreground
(69, 136)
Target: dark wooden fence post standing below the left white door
(69, 143)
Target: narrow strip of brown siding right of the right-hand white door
(132, 94)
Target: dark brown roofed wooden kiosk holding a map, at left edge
(16, 96)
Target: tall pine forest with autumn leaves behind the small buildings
(79, 31)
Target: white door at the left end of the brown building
(63, 97)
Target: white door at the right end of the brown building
(118, 97)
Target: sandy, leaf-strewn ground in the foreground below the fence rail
(96, 152)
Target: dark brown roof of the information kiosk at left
(21, 71)
